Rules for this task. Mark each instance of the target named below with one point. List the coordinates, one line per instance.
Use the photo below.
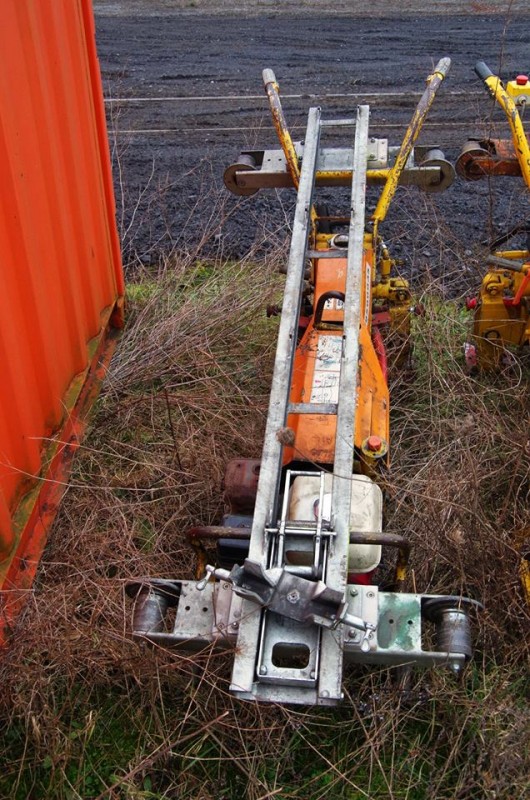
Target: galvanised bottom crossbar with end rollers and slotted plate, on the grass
(401, 629)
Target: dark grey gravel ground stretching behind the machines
(199, 76)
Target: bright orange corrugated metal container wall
(59, 253)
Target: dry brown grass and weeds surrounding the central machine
(88, 713)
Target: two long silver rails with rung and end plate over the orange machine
(321, 680)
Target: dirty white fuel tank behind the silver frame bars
(366, 513)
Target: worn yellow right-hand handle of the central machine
(433, 82)
